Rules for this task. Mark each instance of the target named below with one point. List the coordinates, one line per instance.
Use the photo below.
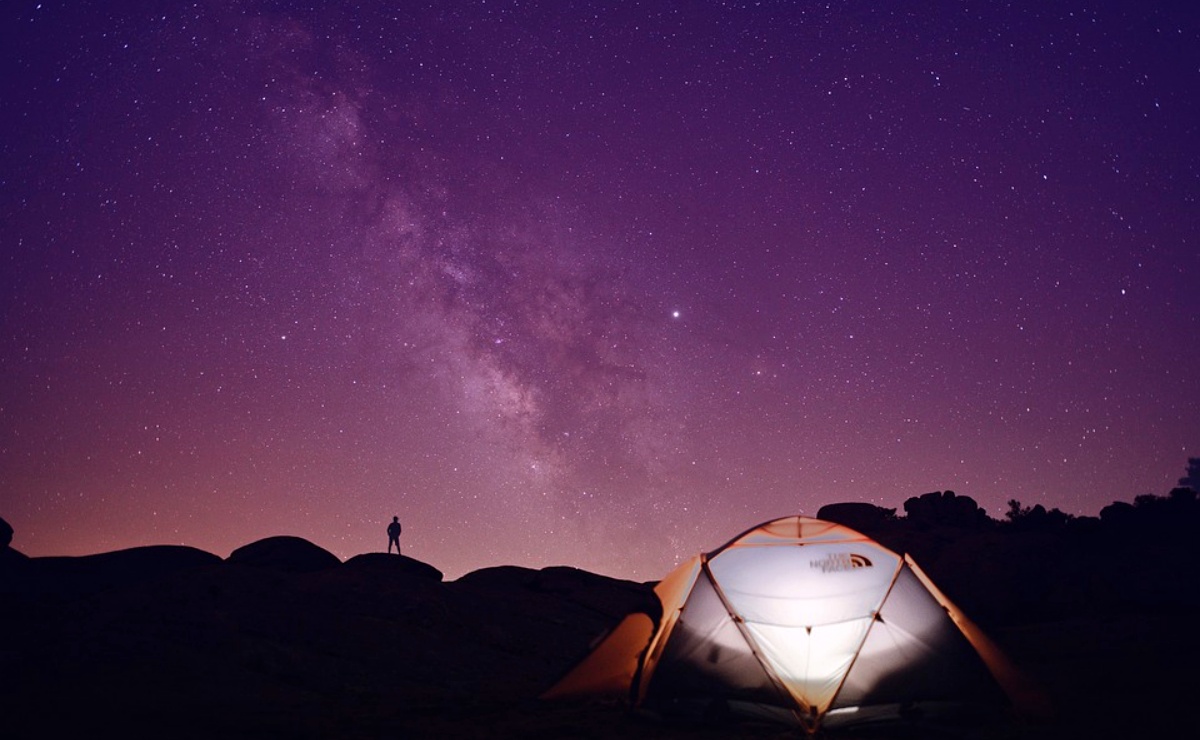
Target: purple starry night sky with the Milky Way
(587, 284)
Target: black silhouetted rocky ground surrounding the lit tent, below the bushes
(284, 641)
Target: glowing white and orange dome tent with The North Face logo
(805, 622)
